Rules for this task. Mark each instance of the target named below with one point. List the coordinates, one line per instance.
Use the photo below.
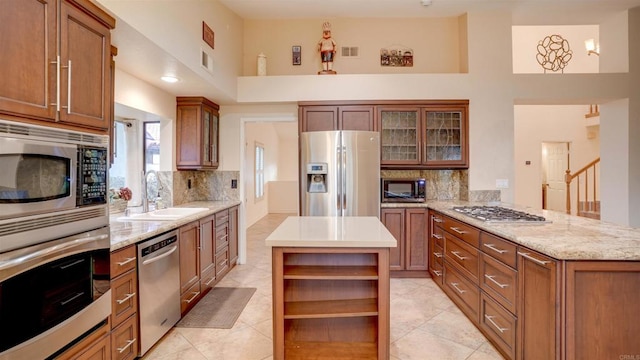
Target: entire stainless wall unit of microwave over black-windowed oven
(54, 239)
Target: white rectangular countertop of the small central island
(334, 232)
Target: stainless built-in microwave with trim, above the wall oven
(53, 183)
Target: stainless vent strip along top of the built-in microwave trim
(51, 134)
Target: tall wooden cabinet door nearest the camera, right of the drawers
(539, 306)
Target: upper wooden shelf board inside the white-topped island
(310, 272)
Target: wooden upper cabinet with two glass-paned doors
(431, 136)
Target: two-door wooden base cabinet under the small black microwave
(410, 228)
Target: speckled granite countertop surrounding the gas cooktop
(567, 237)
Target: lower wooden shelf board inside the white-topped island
(323, 309)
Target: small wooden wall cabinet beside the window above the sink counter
(197, 128)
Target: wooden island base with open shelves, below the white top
(331, 303)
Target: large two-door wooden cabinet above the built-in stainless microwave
(58, 63)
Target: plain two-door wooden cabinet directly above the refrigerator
(336, 117)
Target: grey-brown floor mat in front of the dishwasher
(219, 309)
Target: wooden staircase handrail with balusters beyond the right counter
(587, 202)
